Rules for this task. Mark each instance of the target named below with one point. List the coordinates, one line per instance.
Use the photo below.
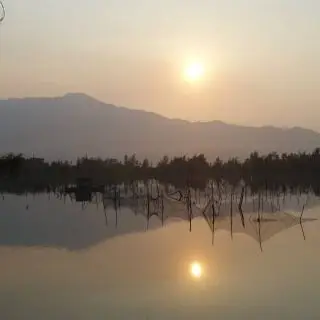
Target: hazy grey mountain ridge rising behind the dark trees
(76, 124)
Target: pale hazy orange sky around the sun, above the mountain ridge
(261, 57)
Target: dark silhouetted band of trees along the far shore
(297, 172)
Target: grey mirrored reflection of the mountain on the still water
(64, 223)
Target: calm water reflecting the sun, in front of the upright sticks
(59, 260)
